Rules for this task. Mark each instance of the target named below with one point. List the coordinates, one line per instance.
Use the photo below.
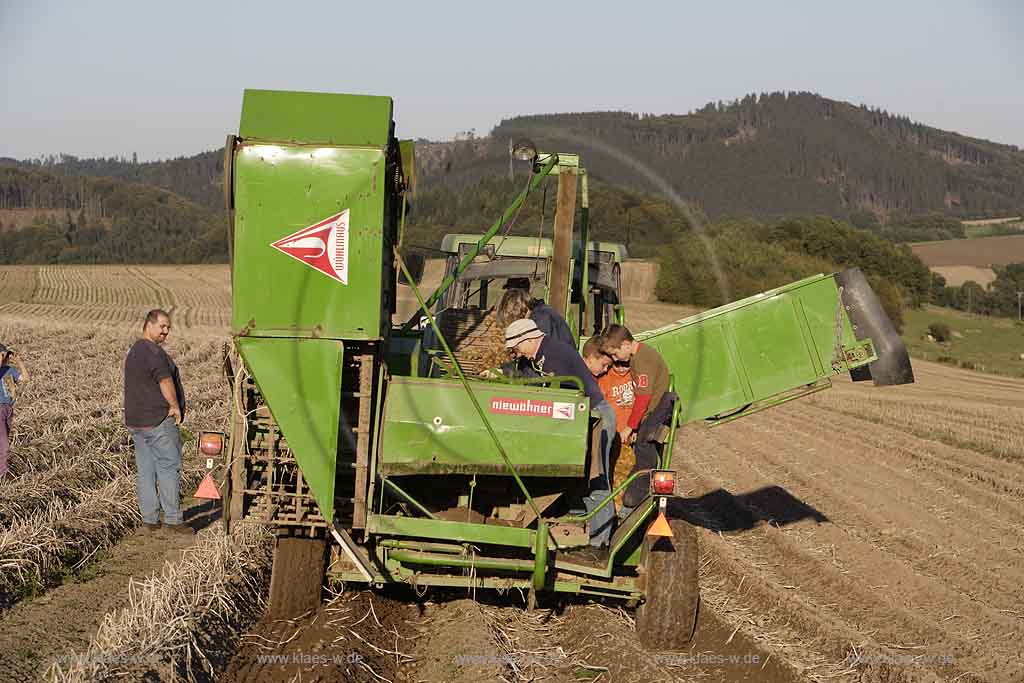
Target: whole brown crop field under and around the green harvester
(860, 535)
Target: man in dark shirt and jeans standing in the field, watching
(155, 406)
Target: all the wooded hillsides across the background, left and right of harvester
(738, 177)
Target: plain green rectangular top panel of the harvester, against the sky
(316, 118)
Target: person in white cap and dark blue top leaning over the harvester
(551, 357)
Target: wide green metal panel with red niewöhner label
(431, 426)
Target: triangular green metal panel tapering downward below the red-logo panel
(302, 381)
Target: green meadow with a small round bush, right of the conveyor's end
(990, 345)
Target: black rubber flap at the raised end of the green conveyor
(871, 322)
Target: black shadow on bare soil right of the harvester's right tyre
(722, 511)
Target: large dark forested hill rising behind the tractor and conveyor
(765, 156)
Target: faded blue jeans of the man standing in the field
(158, 458)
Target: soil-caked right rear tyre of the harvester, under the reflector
(668, 617)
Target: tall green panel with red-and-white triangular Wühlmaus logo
(281, 190)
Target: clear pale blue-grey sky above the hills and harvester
(165, 78)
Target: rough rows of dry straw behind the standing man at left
(70, 491)
